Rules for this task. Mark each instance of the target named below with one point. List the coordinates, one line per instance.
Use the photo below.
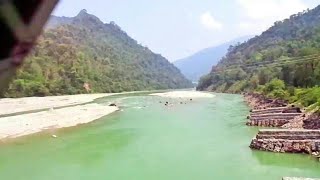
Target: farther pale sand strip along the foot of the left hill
(16, 105)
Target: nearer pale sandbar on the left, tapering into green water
(20, 125)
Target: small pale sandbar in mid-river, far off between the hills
(184, 94)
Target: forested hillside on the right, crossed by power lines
(283, 62)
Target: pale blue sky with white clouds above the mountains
(178, 28)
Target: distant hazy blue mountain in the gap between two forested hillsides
(199, 64)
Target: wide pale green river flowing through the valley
(204, 139)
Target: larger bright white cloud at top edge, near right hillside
(271, 9)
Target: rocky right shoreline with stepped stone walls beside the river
(298, 132)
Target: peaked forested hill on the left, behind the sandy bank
(84, 55)
